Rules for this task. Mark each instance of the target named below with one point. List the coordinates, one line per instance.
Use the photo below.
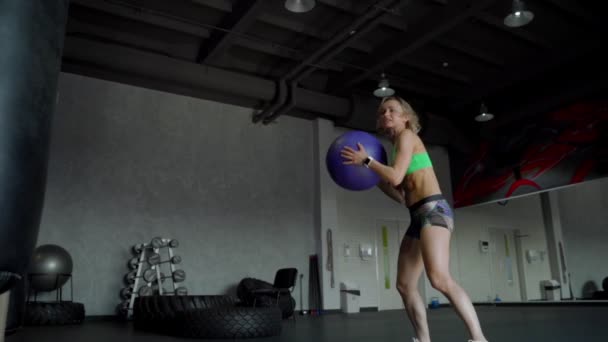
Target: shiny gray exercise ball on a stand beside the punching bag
(50, 268)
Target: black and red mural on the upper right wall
(564, 147)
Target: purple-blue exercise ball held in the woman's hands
(354, 177)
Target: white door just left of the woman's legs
(388, 240)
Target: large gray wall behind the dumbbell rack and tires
(128, 164)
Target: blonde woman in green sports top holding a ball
(410, 180)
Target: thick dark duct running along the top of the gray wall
(159, 69)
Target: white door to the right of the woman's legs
(503, 266)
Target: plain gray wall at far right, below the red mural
(584, 217)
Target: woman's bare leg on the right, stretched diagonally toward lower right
(435, 247)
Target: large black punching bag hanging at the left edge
(31, 43)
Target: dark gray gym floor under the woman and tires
(501, 324)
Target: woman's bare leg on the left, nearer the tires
(409, 268)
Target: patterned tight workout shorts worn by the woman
(431, 211)
